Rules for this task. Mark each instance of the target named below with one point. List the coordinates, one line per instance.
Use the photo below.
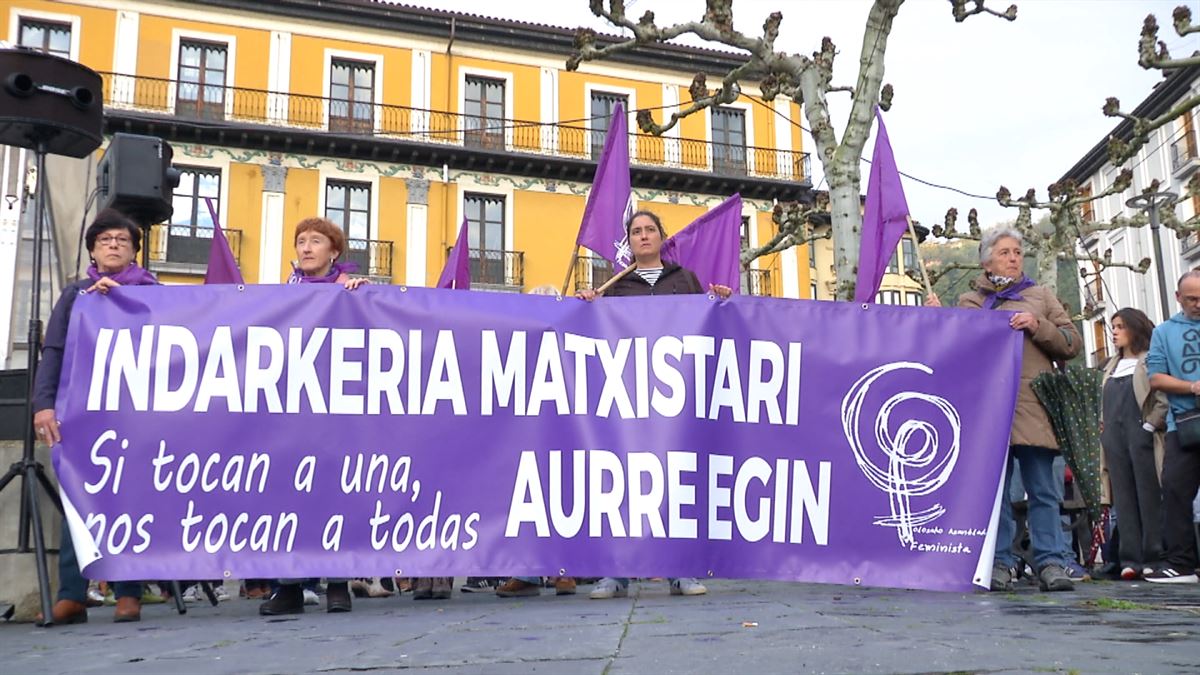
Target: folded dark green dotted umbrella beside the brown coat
(1072, 399)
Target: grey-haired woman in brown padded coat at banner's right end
(1049, 337)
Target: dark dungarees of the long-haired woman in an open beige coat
(1130, 453)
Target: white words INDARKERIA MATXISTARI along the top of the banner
(352, 372)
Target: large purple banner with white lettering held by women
(315, 432)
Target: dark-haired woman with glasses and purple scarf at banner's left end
(113, 242)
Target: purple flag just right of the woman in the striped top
(712, 246)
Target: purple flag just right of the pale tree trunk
(885, 218)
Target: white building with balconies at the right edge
(1172, 158)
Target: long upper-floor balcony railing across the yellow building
(400, 123)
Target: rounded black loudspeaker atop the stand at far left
(50, 100)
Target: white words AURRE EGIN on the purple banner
(626, 497)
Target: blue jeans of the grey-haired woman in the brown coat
(1046, 528)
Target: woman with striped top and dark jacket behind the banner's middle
(650, 276)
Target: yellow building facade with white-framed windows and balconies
(400, 123)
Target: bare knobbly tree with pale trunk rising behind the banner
(808, 81)
